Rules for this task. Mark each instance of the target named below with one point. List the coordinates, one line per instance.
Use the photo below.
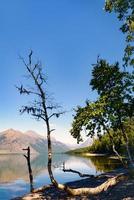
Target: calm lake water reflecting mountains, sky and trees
(14, 174)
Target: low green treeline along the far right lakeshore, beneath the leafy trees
(103, 145)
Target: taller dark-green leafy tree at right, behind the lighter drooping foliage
(117, 87)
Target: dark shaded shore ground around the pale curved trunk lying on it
(122, 190)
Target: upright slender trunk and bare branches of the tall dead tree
(42, 108)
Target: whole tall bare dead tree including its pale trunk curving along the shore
(42, 108)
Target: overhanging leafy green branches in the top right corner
(125, 13)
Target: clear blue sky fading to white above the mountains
(67, 36)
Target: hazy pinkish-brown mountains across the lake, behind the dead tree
(13, 141)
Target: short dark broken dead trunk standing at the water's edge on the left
(27, 156)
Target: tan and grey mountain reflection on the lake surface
(14, 167)
